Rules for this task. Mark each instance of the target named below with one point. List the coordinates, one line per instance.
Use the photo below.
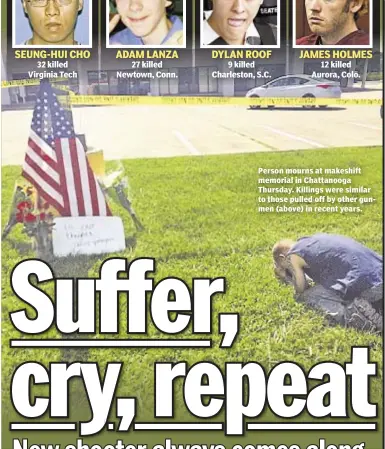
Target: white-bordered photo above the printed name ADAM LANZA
(150, 23)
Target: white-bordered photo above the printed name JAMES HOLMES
(330, 23)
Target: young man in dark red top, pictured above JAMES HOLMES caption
(334, 22)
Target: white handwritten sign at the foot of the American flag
(87, 235)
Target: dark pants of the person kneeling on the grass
(363, 313)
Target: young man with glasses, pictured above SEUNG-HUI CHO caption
(52, 21)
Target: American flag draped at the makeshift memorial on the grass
(56, 163)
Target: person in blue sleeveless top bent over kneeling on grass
(348, 277)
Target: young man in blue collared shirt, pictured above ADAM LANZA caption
(148, 22)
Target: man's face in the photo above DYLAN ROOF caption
(232, 18)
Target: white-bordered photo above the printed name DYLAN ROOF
(239, 23)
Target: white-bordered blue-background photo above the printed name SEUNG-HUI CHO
(52, 23)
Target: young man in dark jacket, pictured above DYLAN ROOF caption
(233, 22)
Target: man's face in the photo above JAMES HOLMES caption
(326, 17)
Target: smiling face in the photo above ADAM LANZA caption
(143, 17)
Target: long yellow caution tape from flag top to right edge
(121, 100)
